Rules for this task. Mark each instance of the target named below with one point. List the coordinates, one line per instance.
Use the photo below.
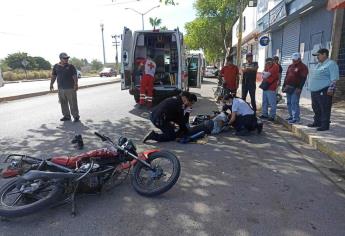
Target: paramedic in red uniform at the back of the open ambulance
(147, 82)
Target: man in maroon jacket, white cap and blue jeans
(295, 78)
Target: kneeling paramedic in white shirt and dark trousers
(243, 117)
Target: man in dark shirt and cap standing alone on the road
(67, 80)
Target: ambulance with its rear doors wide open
(166, 49)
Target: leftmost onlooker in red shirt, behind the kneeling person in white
(230, 73)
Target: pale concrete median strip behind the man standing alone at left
(26, 89)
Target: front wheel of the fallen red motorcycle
(152, 182)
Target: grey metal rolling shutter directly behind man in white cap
(291, 33)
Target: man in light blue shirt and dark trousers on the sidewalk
(322, 87)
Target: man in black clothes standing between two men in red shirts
(249, 79)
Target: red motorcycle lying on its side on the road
(44, 183)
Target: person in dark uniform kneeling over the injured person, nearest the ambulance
(171, 111)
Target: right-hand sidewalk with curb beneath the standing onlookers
(331, 142)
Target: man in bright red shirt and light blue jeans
(269, 95)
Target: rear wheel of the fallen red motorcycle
(26, 202)
